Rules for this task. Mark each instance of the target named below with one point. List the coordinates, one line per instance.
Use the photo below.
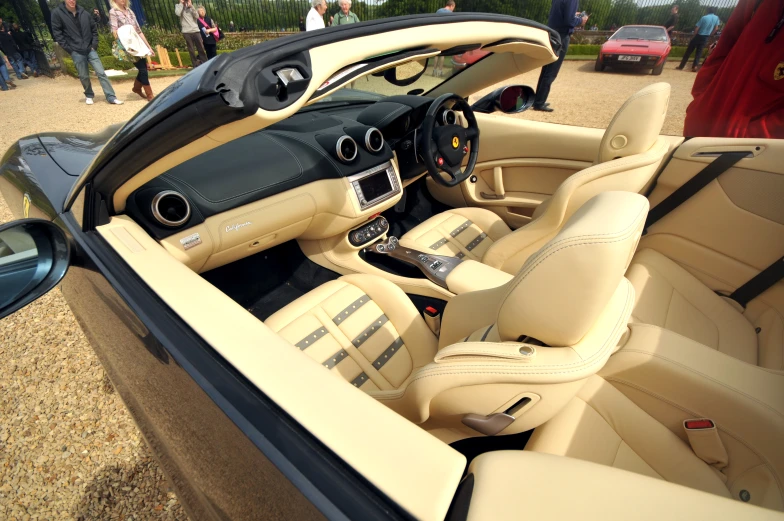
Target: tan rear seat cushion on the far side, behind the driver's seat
(670, 297)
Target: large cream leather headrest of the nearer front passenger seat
(562, 288)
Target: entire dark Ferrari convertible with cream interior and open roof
(232, 255)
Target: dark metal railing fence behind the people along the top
(284, 15)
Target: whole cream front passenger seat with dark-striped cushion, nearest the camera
(571, 295)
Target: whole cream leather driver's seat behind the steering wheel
(629, 155)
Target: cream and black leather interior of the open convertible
(470, 308)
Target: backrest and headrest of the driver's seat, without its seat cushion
(630, 154)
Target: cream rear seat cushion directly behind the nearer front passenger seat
(603, 426)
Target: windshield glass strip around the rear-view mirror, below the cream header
(413, 77)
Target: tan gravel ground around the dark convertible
(68, 447)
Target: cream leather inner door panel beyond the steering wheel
(534, 159)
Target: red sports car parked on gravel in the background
(645, 46)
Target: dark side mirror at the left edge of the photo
(34, 257)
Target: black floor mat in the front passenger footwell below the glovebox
(270, 280)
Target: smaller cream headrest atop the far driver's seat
(637, 124)
